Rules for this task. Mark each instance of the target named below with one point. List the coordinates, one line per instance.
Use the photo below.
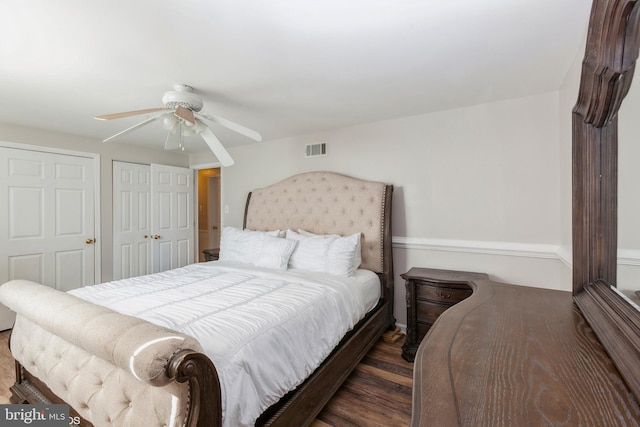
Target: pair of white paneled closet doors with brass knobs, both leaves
(153, 220)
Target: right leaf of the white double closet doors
(172, 217)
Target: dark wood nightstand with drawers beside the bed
(429, 293)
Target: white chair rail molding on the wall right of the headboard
(527, 250)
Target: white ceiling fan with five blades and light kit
(182, 116)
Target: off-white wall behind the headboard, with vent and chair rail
(476, 188)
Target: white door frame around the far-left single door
(95, 157)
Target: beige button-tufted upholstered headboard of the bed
(326, 203)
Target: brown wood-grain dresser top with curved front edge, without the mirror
(517, 356)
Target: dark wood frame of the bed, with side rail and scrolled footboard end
(300, 406)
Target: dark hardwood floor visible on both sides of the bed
(376, 394)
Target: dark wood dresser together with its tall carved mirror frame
(520, 356)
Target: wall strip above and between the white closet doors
(108, 153)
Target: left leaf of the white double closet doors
(131, 220)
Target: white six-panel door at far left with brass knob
(47, 219)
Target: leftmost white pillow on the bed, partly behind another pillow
(242, 245)
